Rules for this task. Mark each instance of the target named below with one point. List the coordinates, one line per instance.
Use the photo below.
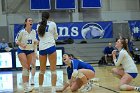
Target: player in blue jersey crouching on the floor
(79, 74)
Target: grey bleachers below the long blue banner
(91, 51)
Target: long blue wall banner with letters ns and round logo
(79, 30)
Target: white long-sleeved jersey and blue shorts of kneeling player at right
(127, 63)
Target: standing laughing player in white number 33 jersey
(26, 40)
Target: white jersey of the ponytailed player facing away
(49, 37)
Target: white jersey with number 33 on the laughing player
(26, 38)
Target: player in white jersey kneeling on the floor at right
(126, 69)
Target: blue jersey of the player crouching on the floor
(78, 64)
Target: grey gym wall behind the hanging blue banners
(119, 11)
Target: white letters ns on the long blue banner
(64, 31)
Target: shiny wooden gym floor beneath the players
(10, 82)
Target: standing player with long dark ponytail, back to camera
(47, 32)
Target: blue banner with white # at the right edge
(135, 28)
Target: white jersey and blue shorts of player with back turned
(47, 42)
